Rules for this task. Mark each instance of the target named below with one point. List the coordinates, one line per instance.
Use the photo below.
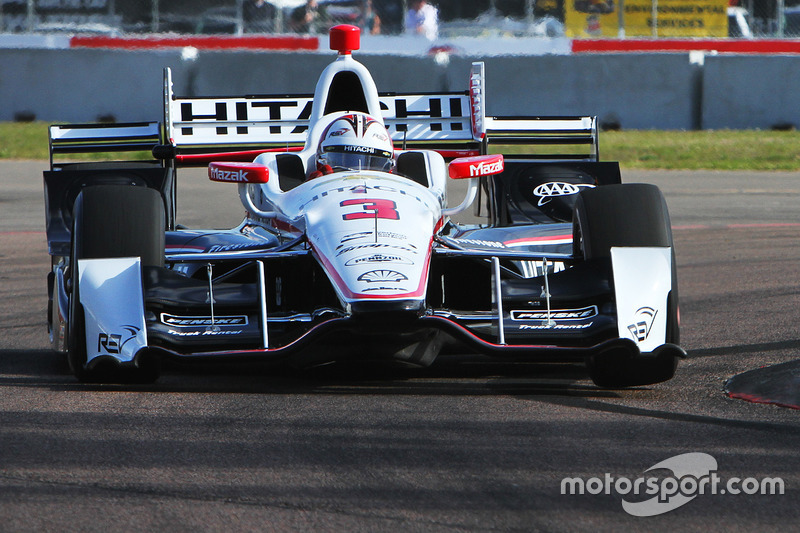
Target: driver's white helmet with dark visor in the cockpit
(356, 141)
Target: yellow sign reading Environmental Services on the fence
(640, 18)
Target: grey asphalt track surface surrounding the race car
(462, 446)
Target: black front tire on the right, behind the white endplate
(632, 214)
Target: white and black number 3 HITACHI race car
(349, 249)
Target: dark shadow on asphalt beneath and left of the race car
(450, 375)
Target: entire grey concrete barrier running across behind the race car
(634, 91)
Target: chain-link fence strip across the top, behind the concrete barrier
(574, 18)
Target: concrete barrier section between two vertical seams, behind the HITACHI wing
(634, 91)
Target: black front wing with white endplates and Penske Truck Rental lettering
(558, 316)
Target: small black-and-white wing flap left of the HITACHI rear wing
(88, 138)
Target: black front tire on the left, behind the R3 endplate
(112, 221)
